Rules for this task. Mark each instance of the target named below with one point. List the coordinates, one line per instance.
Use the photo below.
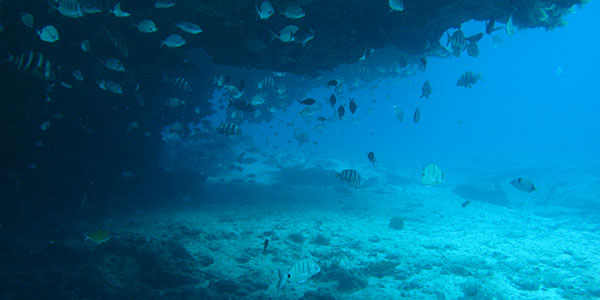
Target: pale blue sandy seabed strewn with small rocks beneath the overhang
(413, 242)
